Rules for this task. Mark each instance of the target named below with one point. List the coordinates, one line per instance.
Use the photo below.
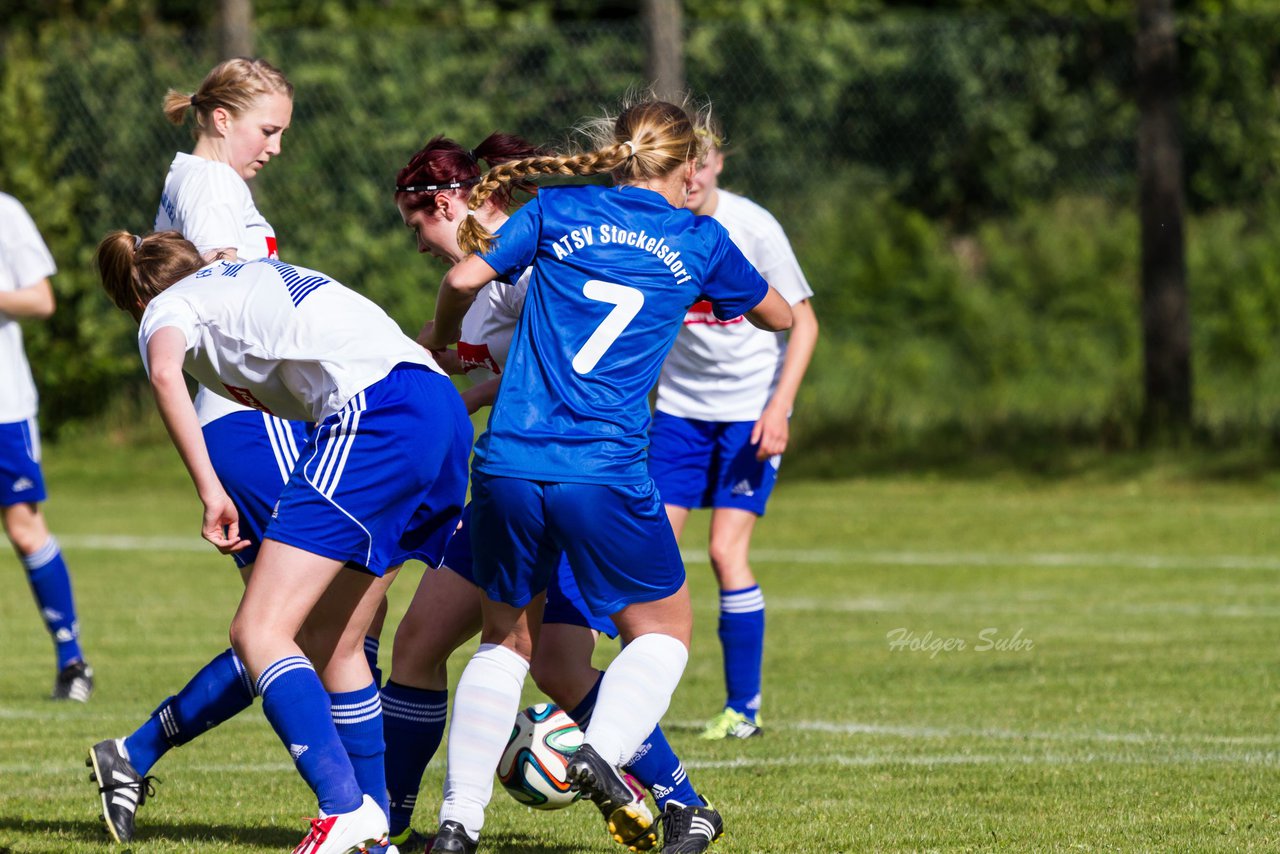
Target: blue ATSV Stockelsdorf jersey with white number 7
(615, 272)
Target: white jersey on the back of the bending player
(284, 340)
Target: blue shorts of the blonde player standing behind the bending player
(254, 455)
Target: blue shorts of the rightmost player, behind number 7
(710, 464)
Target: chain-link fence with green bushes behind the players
(959, 189)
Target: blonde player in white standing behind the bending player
(241, 112)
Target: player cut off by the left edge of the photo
(26, 266)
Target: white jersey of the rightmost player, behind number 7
(726, 371)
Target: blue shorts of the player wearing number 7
(618, 541)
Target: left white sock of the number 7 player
(484, 707)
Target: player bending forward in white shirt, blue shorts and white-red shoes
(295, 342)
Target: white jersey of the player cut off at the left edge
(25, 261)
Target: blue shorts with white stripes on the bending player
(385, 479)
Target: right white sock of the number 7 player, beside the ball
(636, 695)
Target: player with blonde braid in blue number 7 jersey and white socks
(563, 467)
